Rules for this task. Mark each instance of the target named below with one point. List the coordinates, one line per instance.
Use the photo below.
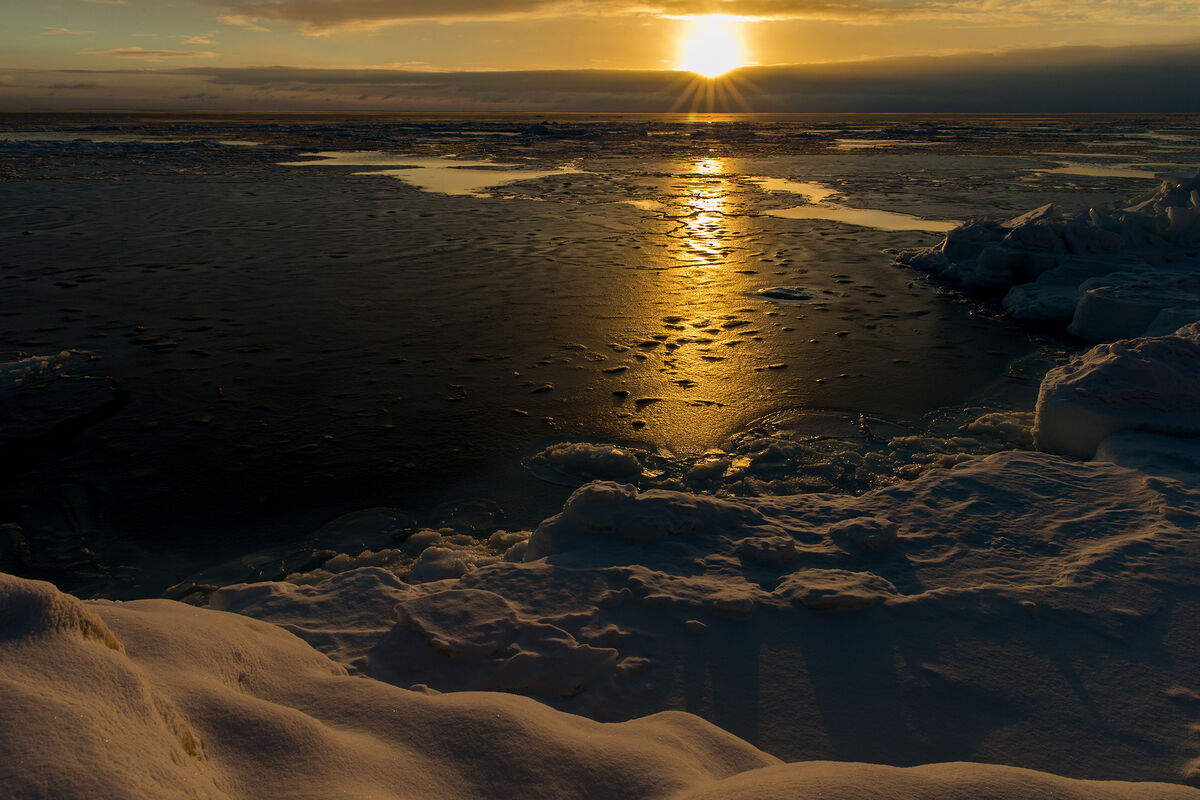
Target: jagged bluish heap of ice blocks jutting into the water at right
(1107, 272)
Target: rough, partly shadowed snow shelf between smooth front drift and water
(975, 613)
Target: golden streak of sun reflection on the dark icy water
(695, 316)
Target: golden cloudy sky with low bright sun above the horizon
(796, 56)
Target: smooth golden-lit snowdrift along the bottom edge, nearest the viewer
(159, 700)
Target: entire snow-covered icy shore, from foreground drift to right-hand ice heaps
(1019, 609)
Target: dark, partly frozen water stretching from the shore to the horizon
(255, 348)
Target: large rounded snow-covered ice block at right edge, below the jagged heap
(1147, 384)
